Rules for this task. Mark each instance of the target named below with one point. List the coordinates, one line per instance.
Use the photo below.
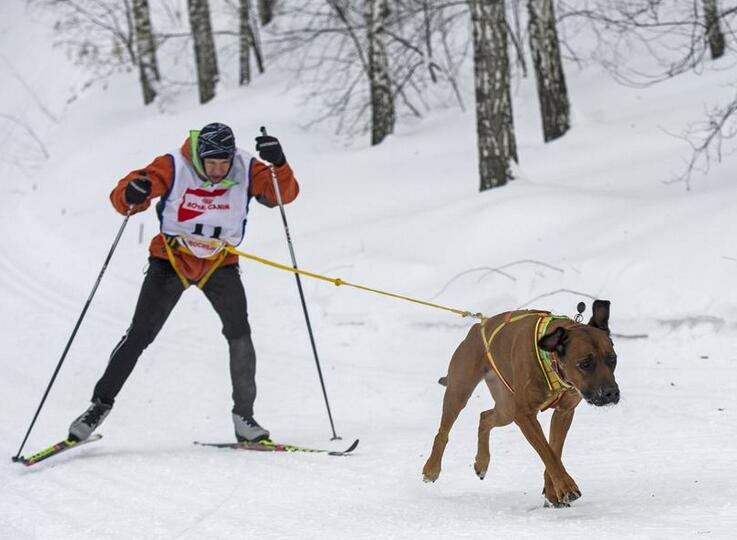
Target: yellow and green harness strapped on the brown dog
(547, 361)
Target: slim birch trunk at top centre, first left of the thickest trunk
(382, 99)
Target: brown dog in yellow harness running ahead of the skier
(530, 361)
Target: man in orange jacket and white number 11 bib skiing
(204, 190)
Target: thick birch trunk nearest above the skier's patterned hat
(204, 48)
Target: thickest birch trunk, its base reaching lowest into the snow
(494, 121)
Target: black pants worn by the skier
(160, 292)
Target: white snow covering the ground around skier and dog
(406, 217)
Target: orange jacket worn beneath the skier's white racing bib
(161, 173)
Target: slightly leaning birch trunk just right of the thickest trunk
(551, 84)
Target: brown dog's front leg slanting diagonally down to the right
(563, 489)
